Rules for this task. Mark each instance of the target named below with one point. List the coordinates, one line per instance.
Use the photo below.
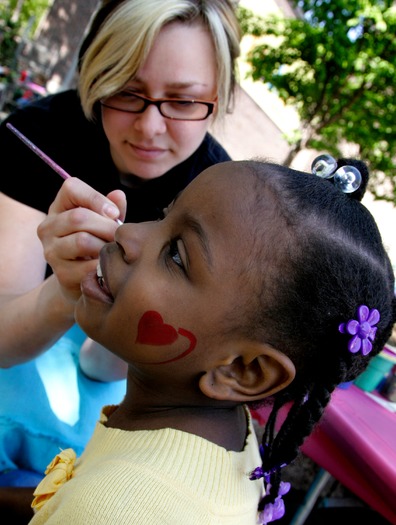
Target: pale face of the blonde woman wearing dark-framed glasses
(181, 64)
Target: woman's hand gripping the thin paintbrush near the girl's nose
(79, 222)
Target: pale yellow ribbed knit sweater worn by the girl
(160, 477)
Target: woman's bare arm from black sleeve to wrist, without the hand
(33, 313)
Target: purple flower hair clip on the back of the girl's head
(362, 330)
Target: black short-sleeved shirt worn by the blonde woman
(57, 125)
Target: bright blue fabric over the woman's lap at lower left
(48, 404)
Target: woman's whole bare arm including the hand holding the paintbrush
(35, 312)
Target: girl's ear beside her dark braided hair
(254, 372)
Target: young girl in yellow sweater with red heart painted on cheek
(259, 282)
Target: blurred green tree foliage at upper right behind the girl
(336, 65)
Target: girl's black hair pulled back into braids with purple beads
(322, 260)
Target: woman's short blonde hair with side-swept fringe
(123, 33)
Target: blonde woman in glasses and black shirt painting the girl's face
(153, 74)
